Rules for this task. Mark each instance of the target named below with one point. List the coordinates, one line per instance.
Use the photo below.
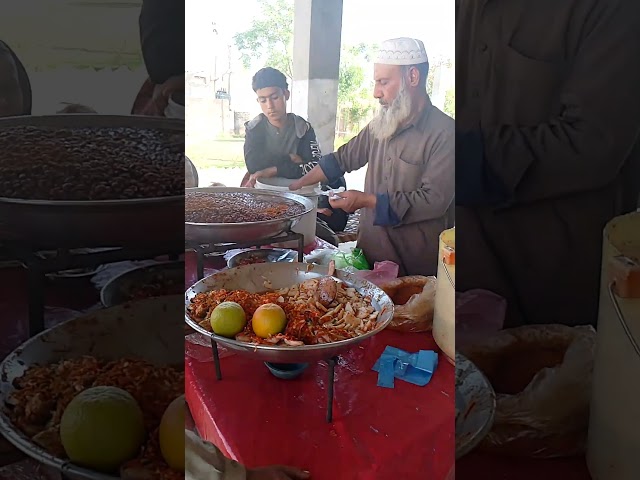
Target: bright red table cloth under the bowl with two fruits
(377, 434)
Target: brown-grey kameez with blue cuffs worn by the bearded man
(415, 170)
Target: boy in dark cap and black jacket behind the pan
(281, 144)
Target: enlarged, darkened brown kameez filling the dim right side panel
(552, 87)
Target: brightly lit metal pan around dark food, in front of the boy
(207, 233)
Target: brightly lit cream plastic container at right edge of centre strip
(444, 313)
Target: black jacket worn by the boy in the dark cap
(308, 149)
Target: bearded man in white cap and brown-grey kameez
(409, 148)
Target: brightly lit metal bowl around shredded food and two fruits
(265, 276)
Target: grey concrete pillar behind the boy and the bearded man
(317, 32)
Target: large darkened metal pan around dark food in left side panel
(72, 224)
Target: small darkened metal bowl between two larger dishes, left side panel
(120, 288)
